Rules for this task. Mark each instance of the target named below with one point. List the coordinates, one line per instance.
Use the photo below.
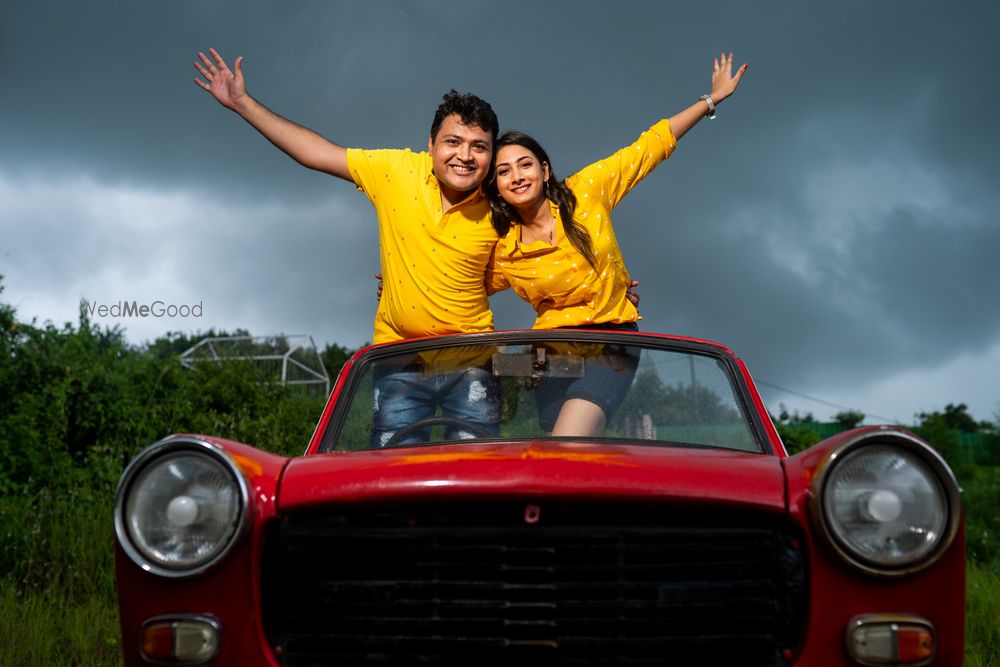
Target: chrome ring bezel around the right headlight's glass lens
(910, 447)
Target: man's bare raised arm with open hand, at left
(301, 144)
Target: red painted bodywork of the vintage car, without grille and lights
(838, 591)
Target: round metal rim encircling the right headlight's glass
(930, 457)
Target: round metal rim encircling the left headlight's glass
(170, 445)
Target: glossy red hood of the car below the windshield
(562, 469)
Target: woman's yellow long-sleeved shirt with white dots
(556, 279)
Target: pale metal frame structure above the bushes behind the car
(265, 352)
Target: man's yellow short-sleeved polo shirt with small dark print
(433, 261)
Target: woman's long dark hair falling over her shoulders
(555, 190)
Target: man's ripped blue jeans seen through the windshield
(403, 397)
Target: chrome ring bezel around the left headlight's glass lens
(156, 454)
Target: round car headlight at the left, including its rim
(180, 507)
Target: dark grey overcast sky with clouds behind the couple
(835, 225)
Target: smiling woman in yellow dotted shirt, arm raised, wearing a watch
(558, 251)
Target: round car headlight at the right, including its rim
(888, 503)
